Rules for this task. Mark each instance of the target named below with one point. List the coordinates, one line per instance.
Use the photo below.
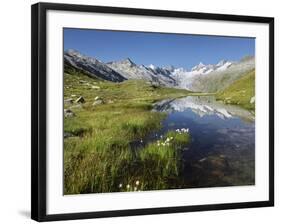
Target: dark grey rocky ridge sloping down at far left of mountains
(92, 66)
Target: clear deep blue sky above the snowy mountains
(158, 49)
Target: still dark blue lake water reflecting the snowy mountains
(222, 150)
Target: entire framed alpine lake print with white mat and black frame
(139, 111)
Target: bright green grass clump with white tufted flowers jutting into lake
(161, 161)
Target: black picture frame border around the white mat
(39, 122)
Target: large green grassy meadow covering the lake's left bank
(100, 156)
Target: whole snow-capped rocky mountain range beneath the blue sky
(203, 78)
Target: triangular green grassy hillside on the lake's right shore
(240, 92)
